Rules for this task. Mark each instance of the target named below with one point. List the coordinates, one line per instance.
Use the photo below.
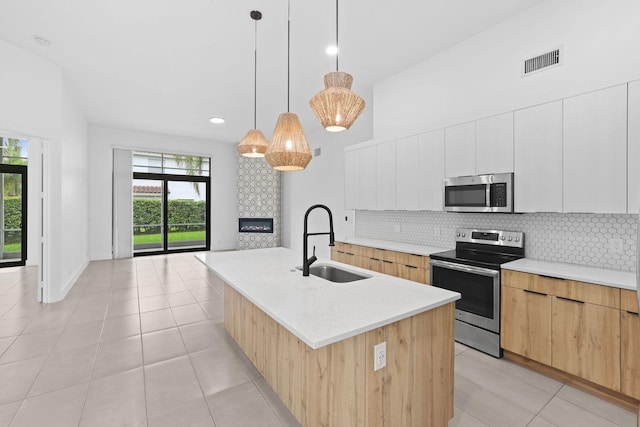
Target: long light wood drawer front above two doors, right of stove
(579, 291)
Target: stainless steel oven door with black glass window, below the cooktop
(480, 290)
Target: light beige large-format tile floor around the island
(141, 342)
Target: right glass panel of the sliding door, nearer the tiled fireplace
(186, 214)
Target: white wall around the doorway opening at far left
(37, 103)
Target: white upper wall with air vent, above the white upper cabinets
(481, 77)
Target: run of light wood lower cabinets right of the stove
(578, 328)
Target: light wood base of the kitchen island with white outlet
(336, 385)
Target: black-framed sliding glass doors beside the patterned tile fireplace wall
(170, 213)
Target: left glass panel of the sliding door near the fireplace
(148, 215)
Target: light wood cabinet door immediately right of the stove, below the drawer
(526, 320)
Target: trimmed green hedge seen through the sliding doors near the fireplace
(148, 211)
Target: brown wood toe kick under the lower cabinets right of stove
(582, 384)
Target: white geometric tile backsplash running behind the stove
(584, 239)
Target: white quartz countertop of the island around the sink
(318, 311)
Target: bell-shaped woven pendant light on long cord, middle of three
(288, 150)
